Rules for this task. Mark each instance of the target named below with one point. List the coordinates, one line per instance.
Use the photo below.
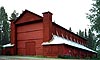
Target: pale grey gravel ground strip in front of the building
(27, 58)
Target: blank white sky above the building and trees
(67, 13)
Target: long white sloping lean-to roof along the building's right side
(60, 40)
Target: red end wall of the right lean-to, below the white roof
(53, 50)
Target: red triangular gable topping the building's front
(27, 16)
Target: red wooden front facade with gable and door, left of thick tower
(27, 34)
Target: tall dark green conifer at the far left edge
(4, 27)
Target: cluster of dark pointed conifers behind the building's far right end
(90, 37)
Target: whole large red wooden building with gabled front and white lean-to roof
(32, 34)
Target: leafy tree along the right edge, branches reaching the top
(94, 17)
